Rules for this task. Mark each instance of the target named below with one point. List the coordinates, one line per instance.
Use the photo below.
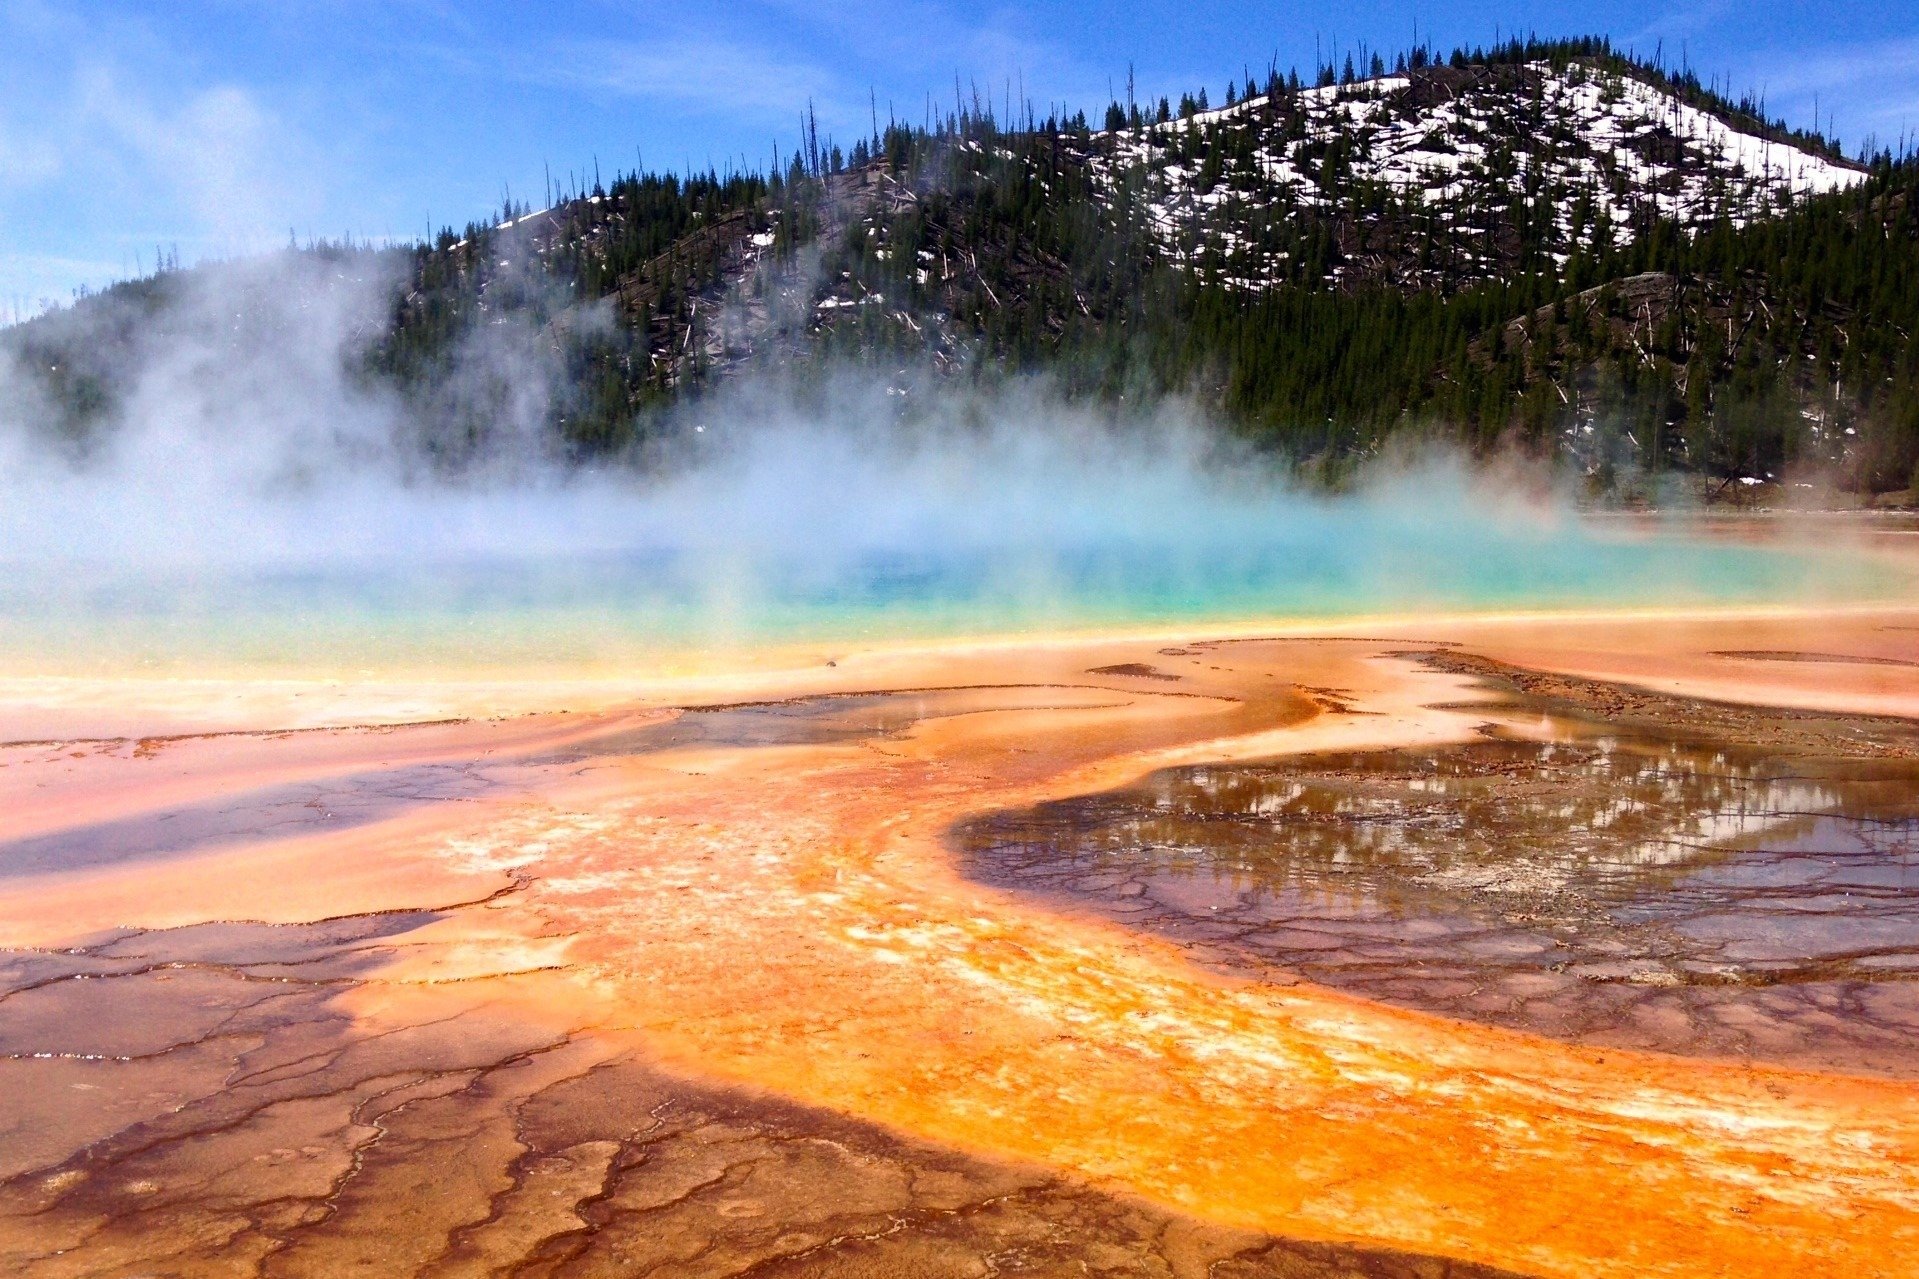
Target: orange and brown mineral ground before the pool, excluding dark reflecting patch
(337, 1032)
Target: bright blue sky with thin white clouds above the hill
(222, 126)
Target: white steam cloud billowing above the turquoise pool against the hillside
(245, 435)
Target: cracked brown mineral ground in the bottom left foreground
(243, 1124)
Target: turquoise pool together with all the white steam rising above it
(254, 504)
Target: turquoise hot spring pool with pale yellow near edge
(636, 612)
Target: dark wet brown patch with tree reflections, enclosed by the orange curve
(1605, 867)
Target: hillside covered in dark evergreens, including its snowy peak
(1546, 247)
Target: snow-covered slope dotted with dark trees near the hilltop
(1578, 153)
